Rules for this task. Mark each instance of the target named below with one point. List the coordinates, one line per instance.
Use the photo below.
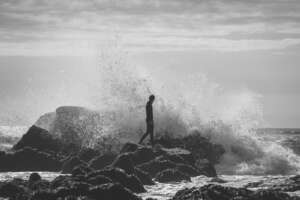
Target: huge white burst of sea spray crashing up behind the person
(226, 117)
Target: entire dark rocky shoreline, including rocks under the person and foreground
(90, 174)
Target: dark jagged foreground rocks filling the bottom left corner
(65, 187)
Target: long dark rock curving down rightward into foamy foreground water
(118, 175)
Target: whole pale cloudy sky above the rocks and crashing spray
(251, 44)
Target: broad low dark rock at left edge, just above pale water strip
(29, 159)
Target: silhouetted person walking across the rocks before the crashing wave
(149, 120)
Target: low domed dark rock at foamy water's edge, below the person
(171, 175)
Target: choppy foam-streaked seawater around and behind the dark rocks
(289, 139)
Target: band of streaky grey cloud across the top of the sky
(35, 25)
